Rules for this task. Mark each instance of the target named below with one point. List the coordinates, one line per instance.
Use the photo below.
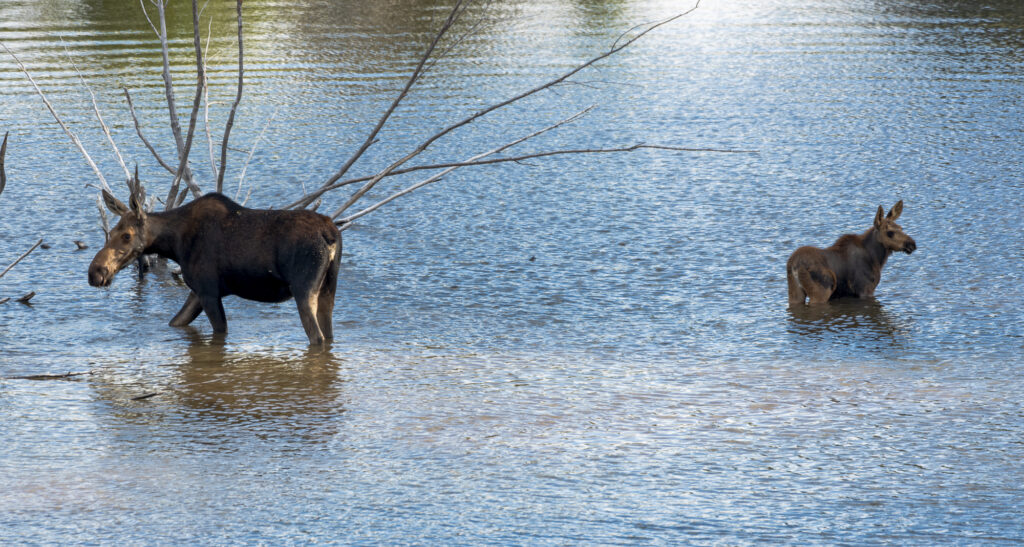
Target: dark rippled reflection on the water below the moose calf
(861, 322)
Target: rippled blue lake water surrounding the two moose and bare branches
(575, 350)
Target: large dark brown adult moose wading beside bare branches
(226, 249)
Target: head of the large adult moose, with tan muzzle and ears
(126, 241)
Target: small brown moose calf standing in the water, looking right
(852, 267)
